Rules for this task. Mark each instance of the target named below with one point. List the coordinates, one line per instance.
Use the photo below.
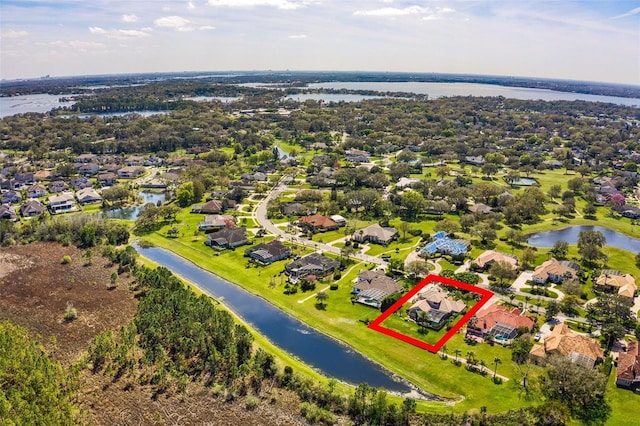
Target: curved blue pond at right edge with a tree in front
(570, 235)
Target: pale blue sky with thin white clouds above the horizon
(593, 40)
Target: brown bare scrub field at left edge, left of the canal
(36, 288)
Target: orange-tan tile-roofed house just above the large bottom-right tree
(577, 347)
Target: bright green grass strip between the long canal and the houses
(343, 320)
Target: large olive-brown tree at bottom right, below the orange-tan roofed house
(580, 388)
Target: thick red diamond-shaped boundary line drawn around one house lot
(376, 324)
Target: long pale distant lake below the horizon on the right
(439, 90)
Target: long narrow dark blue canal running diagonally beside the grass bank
(329, 356)
